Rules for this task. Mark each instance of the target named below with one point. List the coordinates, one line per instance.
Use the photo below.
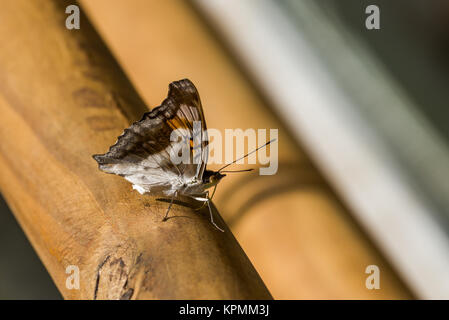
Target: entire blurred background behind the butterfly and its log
(363, 137)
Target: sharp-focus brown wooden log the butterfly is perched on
(63, 98)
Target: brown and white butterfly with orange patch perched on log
(144, 153)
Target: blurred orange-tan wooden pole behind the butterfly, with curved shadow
(301, 238)
